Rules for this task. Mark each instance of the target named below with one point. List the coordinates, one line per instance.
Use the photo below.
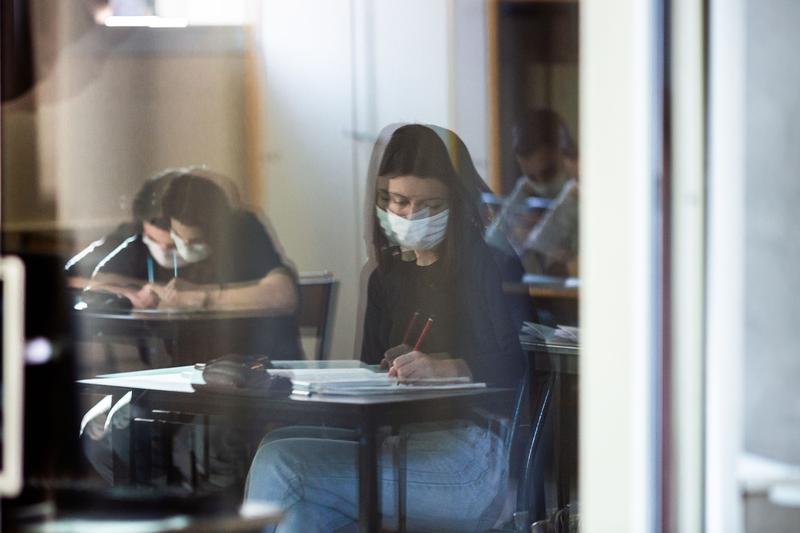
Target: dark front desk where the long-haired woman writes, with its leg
(167, 390)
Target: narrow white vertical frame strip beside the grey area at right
(725, 296)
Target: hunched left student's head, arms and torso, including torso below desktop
(198, 250)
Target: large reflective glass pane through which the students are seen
(284, 255)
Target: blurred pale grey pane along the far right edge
(770, 419)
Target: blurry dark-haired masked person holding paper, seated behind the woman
(547, 156)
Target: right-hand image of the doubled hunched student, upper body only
(223, 257)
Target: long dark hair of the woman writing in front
(420, 151)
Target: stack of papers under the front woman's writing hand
(364, 382)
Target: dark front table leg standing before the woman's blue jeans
(369, 518)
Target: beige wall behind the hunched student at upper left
(116, 106)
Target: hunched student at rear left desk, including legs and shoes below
(221, 257)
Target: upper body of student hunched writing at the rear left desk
(200, 252)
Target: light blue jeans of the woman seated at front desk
(455, 475)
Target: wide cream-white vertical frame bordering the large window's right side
(618, 372)
